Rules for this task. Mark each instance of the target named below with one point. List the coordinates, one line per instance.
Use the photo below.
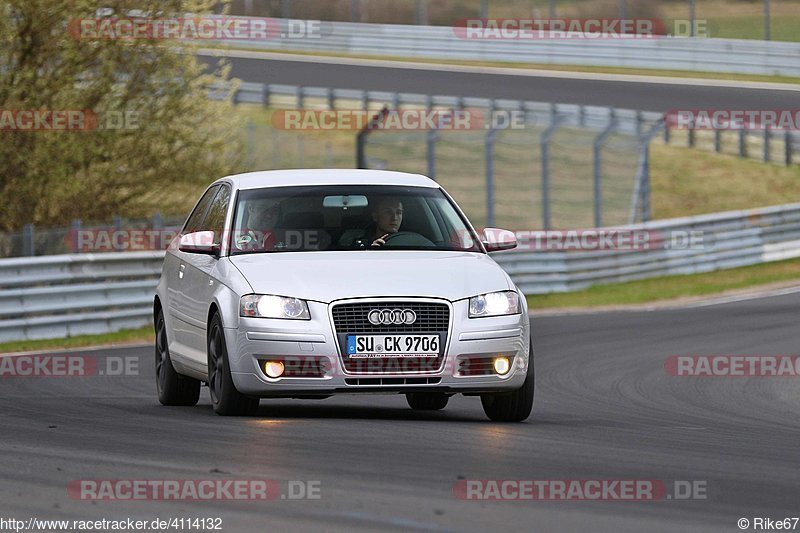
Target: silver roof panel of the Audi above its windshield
(285, 178)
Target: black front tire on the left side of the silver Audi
(225, 399)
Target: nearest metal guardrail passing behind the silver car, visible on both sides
(65, 295)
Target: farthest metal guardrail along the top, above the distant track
(439, 42)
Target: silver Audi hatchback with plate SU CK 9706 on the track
(310, 283)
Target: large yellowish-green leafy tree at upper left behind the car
(173, 139)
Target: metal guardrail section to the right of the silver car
(730, 239)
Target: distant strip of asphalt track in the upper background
(643, 96)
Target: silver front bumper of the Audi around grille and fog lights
(257, 339)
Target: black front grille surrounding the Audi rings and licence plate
(351, 319)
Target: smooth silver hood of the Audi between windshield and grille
(328, 276)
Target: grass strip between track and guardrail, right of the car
(671, 287)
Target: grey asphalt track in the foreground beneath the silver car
(605, 409)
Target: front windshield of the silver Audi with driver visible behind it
(348, 217)
